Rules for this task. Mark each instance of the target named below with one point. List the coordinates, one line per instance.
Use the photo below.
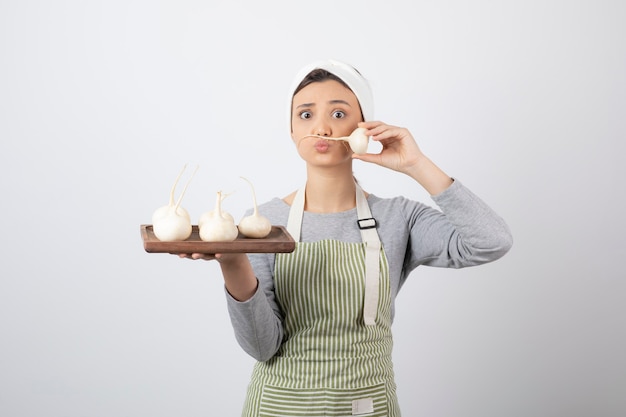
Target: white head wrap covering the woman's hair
(349, 75)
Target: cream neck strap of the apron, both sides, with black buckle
(367, 225)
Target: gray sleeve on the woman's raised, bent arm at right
(466, 232)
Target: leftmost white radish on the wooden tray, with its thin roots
(172, 222)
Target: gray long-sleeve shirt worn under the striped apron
(466, 232)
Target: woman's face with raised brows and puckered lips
(324, 108)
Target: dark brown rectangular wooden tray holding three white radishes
(278, 241)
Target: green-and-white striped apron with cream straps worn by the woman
(336, 356)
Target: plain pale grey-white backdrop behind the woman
(103, 102)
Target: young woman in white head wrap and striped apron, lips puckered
(318, 320)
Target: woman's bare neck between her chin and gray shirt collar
(329, 193)
